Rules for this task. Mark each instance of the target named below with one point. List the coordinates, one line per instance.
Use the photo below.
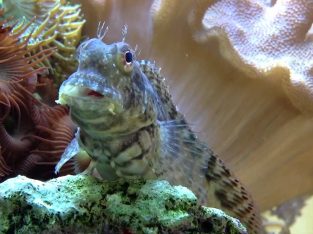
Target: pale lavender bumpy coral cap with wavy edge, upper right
(281, 51)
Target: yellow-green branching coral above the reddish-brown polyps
(58, 24)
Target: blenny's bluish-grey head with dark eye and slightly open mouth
(109, 88)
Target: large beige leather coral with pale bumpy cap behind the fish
(241, 73)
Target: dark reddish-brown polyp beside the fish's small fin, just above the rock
(35, 150)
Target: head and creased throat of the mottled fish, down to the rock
(115, 106)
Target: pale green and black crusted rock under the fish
(82, 204)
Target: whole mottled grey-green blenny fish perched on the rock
(130, 128)
